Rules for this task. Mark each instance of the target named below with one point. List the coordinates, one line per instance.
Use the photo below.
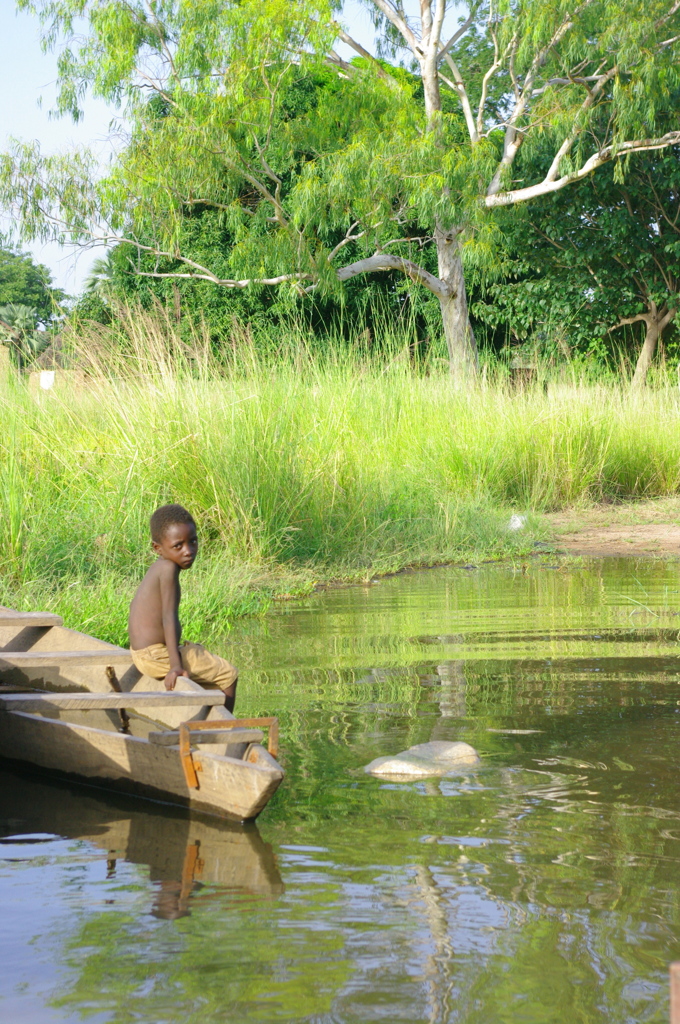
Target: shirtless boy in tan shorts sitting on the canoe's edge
(154, 624)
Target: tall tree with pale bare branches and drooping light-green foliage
(403, 166)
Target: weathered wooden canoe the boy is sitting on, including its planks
(76, 707)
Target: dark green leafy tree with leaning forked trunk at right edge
(600, 258)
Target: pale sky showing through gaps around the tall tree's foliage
(28, 80)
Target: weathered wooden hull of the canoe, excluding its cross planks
(69, 744)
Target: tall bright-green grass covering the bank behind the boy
(299, 470)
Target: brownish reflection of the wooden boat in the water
(184, 854)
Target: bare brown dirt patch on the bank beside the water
(648, 528)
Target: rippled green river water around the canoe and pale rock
(541, 888)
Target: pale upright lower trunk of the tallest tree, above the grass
(457, 328)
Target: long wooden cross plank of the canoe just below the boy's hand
(107, 702)
